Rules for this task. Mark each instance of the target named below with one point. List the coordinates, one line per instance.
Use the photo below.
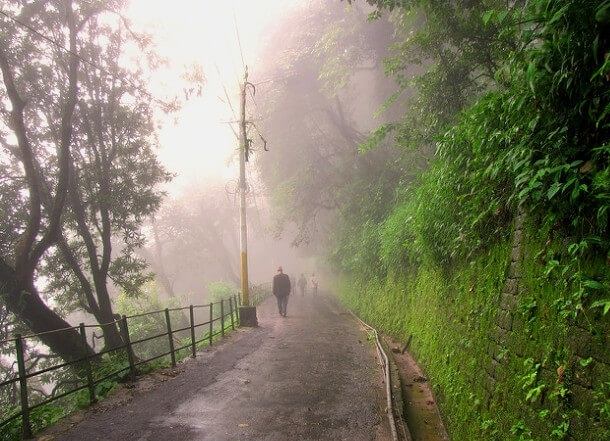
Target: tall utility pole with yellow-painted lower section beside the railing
(247, 313)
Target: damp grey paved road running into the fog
(309, 376)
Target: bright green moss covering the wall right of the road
(491, 383)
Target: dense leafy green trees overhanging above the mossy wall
(486, 73)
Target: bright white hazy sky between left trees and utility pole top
(200, 144)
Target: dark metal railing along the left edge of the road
(147, 337)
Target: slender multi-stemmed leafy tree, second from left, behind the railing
(115, 176)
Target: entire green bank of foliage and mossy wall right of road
(534, 134)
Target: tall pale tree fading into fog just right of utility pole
(326, 72)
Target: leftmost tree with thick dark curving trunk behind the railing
(41, 227)
